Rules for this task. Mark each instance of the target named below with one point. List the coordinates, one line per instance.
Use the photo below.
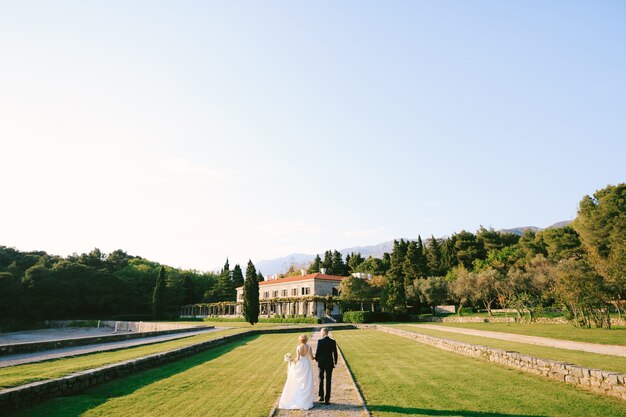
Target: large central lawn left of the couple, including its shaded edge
(243, 378)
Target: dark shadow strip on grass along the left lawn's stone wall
(76, 405)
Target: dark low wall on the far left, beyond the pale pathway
(14, 348)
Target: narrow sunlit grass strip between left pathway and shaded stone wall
(22, 374)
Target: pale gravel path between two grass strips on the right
(533, 340)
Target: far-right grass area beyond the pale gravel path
(615, 336)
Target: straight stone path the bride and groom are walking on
(345, 399)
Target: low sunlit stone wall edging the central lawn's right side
(607, 383)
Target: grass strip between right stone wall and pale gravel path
(591, 360)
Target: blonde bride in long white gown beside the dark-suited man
(298, 391)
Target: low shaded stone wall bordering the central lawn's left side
(23, 395)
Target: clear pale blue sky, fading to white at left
(189, 131)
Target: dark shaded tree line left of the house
(36, 286)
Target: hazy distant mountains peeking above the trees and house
(280, 265)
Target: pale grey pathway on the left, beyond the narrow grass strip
(23, 358)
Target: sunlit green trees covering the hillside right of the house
(580, 268)
